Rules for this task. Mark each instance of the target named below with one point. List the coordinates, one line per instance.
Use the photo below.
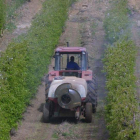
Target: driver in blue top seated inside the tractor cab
(72, 65)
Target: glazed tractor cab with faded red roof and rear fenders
(63, 59)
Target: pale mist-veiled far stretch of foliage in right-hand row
(116, 20)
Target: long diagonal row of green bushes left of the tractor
(24, 63)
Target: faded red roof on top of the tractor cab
(70, 49)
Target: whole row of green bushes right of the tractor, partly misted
(122, 105)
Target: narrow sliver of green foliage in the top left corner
(2, 13)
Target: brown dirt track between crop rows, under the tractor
(83, 28)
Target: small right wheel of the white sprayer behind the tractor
(88, 112)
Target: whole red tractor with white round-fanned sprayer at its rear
(70, 91)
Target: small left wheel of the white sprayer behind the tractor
(46, 113)
